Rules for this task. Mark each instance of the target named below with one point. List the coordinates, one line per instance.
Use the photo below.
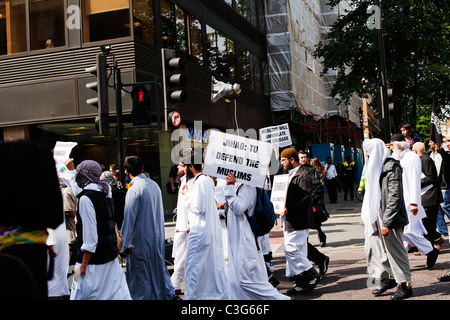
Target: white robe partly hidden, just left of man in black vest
(57, 286)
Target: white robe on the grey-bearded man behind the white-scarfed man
(413, 234)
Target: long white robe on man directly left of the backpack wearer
(205, 267)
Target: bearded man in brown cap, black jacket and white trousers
(297, 220)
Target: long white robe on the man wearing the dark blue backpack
(247, 275)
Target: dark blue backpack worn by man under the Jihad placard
(263, 219)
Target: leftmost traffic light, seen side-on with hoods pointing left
(100, 86)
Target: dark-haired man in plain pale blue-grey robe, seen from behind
(144, 237)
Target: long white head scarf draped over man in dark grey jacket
(378, 153)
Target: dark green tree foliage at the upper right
(417, 49)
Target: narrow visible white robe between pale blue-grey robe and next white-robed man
(180, 237)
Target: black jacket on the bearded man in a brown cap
(299, 202)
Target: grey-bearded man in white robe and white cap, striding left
(414, 232)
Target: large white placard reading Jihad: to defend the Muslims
(248, 159)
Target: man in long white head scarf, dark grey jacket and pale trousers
(384, 215)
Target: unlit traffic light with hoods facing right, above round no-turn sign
(173, 79)
